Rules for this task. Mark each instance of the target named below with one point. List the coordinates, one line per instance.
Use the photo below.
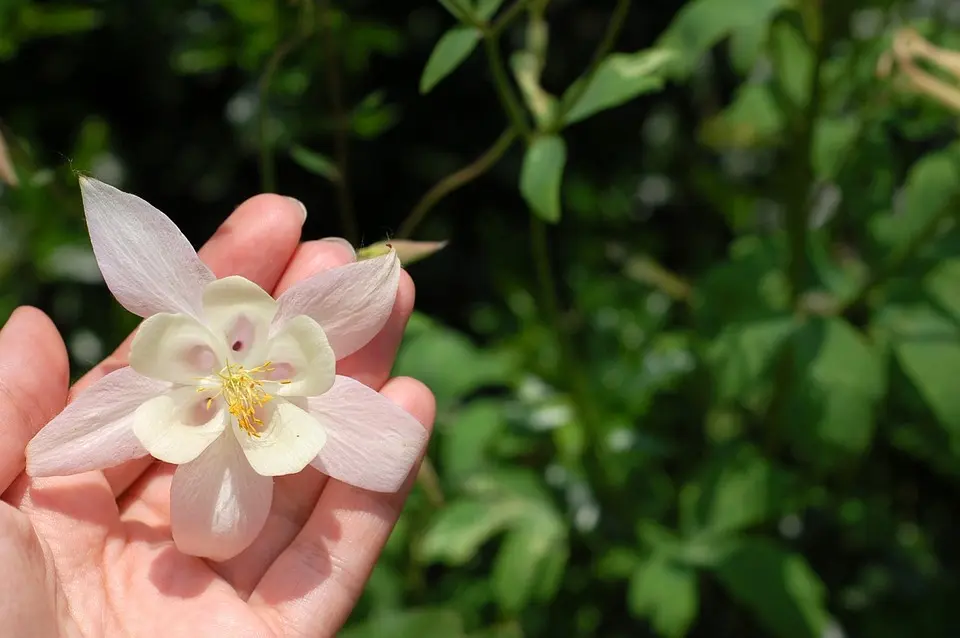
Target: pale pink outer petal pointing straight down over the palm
(218, 503)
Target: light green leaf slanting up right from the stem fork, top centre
(620, 78)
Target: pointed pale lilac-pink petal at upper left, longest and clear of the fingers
(146, 261)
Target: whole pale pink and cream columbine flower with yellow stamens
(229, 384)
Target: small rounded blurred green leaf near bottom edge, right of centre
(667, 594)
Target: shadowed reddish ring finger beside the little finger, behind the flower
(296, 496)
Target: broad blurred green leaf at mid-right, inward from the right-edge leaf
(839, 378)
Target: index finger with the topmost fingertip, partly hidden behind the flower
(256, 241)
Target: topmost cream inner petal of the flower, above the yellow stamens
(241, 311)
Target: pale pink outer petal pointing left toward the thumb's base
(95, 431)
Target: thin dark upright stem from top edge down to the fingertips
(341, 138)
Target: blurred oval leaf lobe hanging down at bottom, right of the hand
(531, 561)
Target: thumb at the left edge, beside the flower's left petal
(34, 377)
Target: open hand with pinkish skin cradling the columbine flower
(91, 555)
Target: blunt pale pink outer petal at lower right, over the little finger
(372, 442)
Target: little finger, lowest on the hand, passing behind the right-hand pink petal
(314, 584)
